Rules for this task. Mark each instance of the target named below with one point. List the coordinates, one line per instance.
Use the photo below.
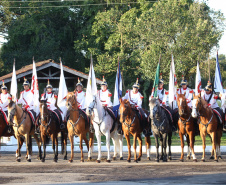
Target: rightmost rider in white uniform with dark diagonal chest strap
(211, 98)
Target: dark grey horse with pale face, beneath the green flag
(161, 129)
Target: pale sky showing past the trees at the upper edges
(216, 5)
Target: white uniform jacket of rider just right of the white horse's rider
(134, 98)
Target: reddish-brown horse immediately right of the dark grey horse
(186, 126)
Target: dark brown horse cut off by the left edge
(7, 131)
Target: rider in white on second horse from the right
(188, 92)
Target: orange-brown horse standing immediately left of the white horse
(76, 125)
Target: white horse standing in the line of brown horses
(103, 123)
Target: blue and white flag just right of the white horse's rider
(118, 87)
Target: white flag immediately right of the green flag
(172, 83)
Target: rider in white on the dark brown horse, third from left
(51, 104)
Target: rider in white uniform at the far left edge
(4, 101)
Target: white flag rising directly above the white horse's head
(91, 89)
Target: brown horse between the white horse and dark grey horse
(131, 125)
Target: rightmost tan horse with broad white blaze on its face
(208, 125)
